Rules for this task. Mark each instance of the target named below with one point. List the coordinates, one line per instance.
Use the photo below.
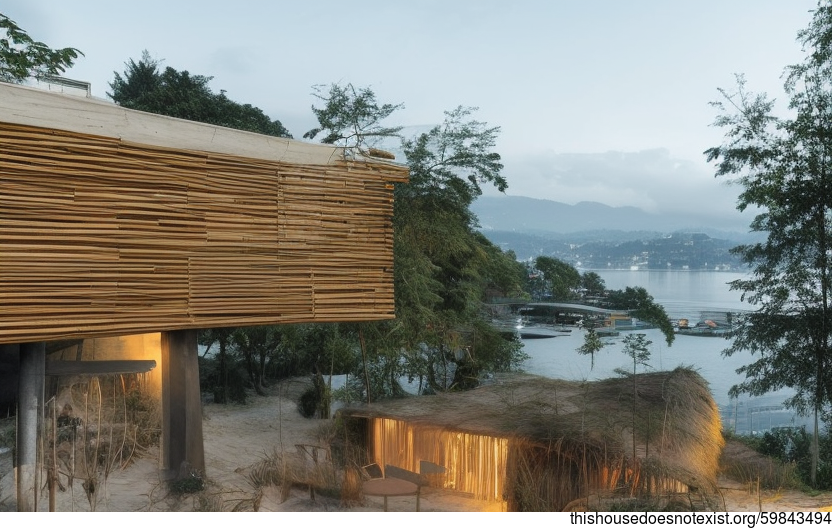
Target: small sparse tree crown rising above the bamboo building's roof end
(351, 117)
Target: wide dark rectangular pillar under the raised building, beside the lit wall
(182, 447)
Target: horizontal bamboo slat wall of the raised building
(102, 236)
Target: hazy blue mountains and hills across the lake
(594, 235)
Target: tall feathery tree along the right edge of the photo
(783, 167)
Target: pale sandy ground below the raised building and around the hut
(239, 437)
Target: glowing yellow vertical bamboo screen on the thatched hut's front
(474, 463)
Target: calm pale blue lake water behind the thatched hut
(684, 294)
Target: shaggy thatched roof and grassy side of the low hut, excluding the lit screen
(580, 437)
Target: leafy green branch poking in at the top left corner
(22, 57)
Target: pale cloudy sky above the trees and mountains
(603, 100)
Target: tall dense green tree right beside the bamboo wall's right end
(438, 238)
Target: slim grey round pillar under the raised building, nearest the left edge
(30, 402)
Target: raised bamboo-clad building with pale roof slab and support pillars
(117, 223)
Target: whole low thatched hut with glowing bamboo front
(540, 444)
